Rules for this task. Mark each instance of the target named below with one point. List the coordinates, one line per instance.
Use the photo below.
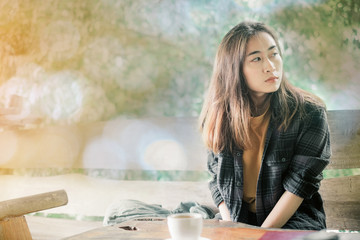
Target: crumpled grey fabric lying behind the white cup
(124, 210)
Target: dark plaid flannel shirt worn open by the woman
(293, 160)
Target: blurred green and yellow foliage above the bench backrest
(154, 58)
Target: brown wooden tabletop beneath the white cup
(155, 228)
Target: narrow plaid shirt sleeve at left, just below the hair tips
(213, 170)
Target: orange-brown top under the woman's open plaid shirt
(252, 157)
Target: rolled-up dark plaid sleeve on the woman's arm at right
(312, 155)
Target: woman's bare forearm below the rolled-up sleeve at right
(283, 210)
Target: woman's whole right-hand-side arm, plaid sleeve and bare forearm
(303, 178)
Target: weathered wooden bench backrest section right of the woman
(341, 194)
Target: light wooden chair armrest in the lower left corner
(12, 221)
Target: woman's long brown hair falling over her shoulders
(225, 116)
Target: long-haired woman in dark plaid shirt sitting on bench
(268, 141)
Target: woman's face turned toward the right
(262, 65)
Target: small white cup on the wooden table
(185, 226)
